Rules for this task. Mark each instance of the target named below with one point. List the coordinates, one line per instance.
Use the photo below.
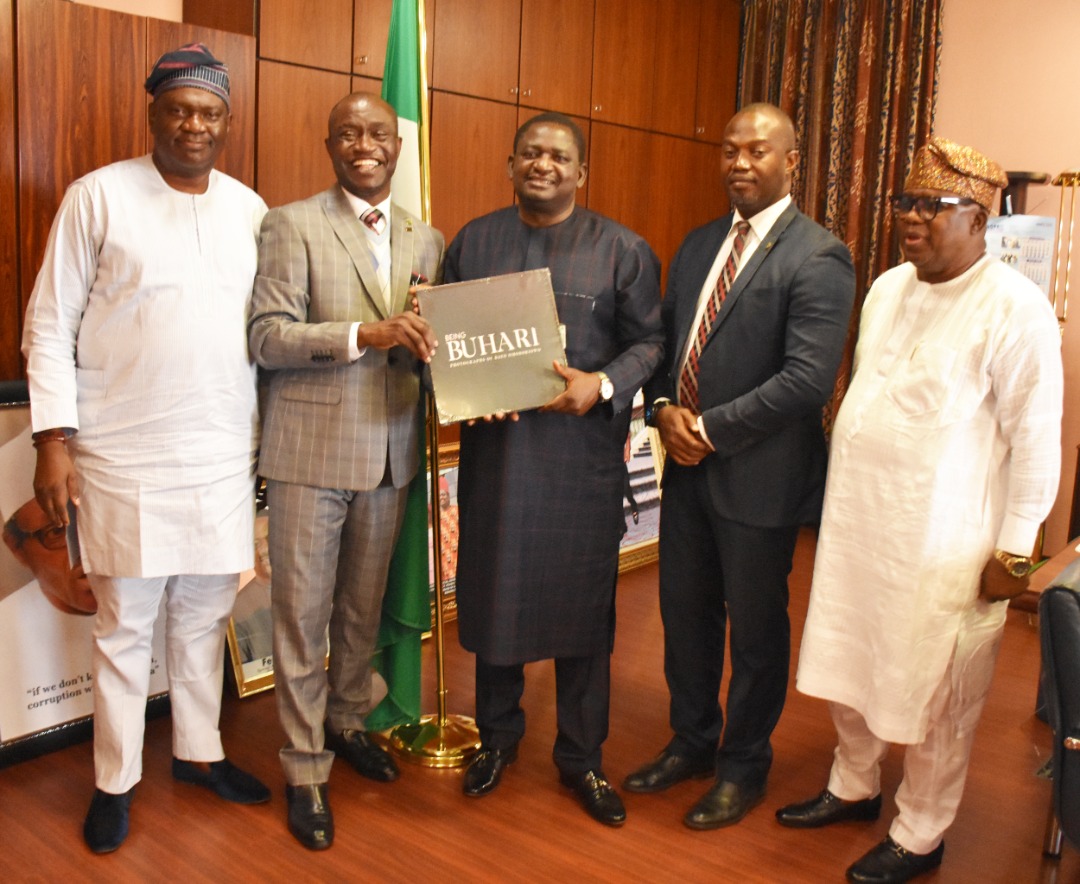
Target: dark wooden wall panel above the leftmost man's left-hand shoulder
(82, 105)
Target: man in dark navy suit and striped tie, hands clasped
(755, 317)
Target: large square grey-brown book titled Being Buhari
(497, 341)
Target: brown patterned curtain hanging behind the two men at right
(860, 80)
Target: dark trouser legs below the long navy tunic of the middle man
(583, 692)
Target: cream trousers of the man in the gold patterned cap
(936, 769)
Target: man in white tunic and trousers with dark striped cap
(144, 410)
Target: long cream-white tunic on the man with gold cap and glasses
(948, 446)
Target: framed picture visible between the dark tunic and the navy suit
(644, 456)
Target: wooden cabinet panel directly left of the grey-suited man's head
(294, 106)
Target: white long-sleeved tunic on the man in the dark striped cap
(136, 336)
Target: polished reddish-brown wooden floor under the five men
(531, 829)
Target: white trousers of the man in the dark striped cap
(198, 609)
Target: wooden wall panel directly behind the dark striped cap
(238, 52)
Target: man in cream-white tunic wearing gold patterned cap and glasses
(944, 463)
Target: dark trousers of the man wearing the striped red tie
(717, 574)
